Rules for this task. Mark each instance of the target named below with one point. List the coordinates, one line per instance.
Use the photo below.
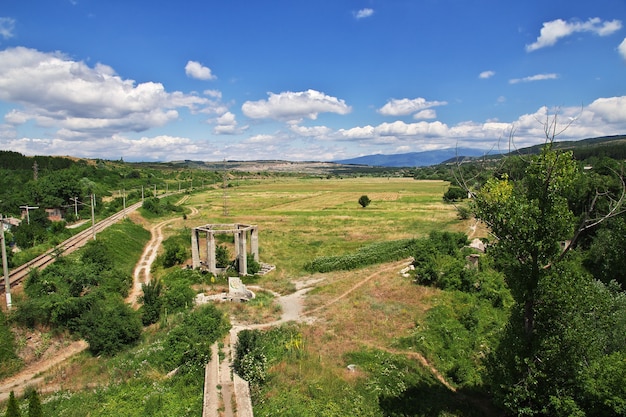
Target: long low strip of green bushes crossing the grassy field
(369, 255)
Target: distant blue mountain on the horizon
(413, 159)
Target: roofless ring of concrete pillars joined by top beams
(240, 232)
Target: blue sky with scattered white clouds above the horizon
(296, 80)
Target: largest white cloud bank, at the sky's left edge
(55, 91)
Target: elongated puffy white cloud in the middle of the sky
(294, 106)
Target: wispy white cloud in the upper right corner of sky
(554, 30)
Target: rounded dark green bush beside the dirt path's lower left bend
(109, 326)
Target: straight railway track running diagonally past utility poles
(18, 274)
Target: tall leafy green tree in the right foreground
(561, 319)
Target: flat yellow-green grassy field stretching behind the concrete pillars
(301, 219)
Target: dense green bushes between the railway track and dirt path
(76, 293)
